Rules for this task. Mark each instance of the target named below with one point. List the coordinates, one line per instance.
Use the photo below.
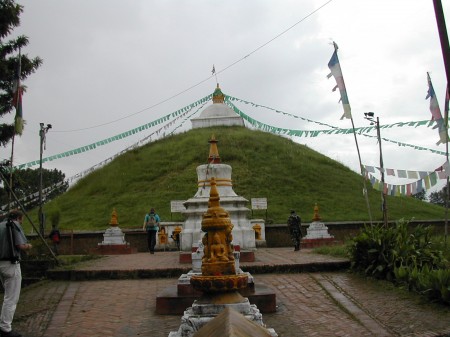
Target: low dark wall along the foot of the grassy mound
(277, 235)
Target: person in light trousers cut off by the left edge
(12, 242)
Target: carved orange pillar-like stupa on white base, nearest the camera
(219, 280)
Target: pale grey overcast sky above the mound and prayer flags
(110, 66)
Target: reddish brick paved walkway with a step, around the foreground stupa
(319, 303)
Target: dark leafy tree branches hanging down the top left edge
(9, 63)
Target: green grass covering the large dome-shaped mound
(289, 175)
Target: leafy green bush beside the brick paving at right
(406, 256)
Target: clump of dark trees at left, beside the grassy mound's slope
(26, 186)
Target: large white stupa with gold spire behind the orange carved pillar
(243, 233)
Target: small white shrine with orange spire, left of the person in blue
(113, 240)
